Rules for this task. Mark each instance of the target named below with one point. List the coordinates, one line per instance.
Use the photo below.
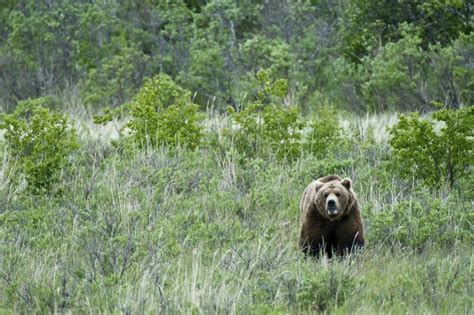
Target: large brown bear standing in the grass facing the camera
(330, 218)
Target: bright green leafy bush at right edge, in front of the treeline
(434, 157)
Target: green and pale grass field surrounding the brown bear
(175, 231)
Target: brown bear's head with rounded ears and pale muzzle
(334, 198)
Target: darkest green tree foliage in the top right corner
(368, 25)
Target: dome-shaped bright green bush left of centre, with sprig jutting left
(161, 113)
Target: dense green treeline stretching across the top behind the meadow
(362, 55)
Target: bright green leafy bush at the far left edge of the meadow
(40, 141)
